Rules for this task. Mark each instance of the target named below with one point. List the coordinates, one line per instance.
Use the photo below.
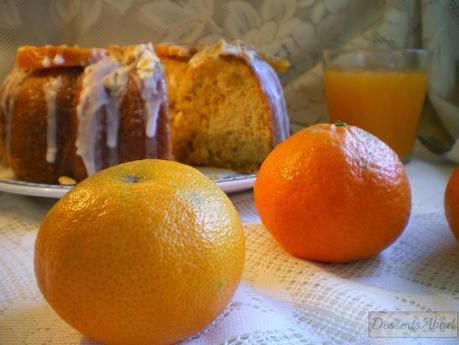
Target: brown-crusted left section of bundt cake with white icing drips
(72, 113)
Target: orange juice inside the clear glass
(385, 103)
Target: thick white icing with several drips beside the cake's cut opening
(97, 96)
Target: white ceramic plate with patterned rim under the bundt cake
(229, 181)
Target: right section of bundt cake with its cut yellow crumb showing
(226, 103)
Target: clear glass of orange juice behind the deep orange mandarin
(379, 90)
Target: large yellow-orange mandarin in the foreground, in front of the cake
(146, 252)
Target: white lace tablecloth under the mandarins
(281, 299)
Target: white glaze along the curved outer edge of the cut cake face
(267, 77)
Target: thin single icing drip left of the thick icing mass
(50, 90)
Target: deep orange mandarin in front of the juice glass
(333, 193)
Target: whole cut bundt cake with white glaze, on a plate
(67, 111)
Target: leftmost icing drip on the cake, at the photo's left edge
(8, 97)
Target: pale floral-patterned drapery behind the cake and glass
(293, 29)
